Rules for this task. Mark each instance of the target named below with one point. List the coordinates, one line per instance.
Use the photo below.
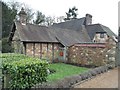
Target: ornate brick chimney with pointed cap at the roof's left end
(22, 16)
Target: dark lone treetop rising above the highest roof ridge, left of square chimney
(71, 14)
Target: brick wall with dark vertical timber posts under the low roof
(47, 51)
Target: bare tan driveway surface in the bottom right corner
(106, 80)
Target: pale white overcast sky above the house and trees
(104, 12)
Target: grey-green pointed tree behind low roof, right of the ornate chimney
(40, 18)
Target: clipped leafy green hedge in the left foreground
(25, 73)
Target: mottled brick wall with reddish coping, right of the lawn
(88, 54)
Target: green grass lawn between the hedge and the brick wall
(64, 70)
